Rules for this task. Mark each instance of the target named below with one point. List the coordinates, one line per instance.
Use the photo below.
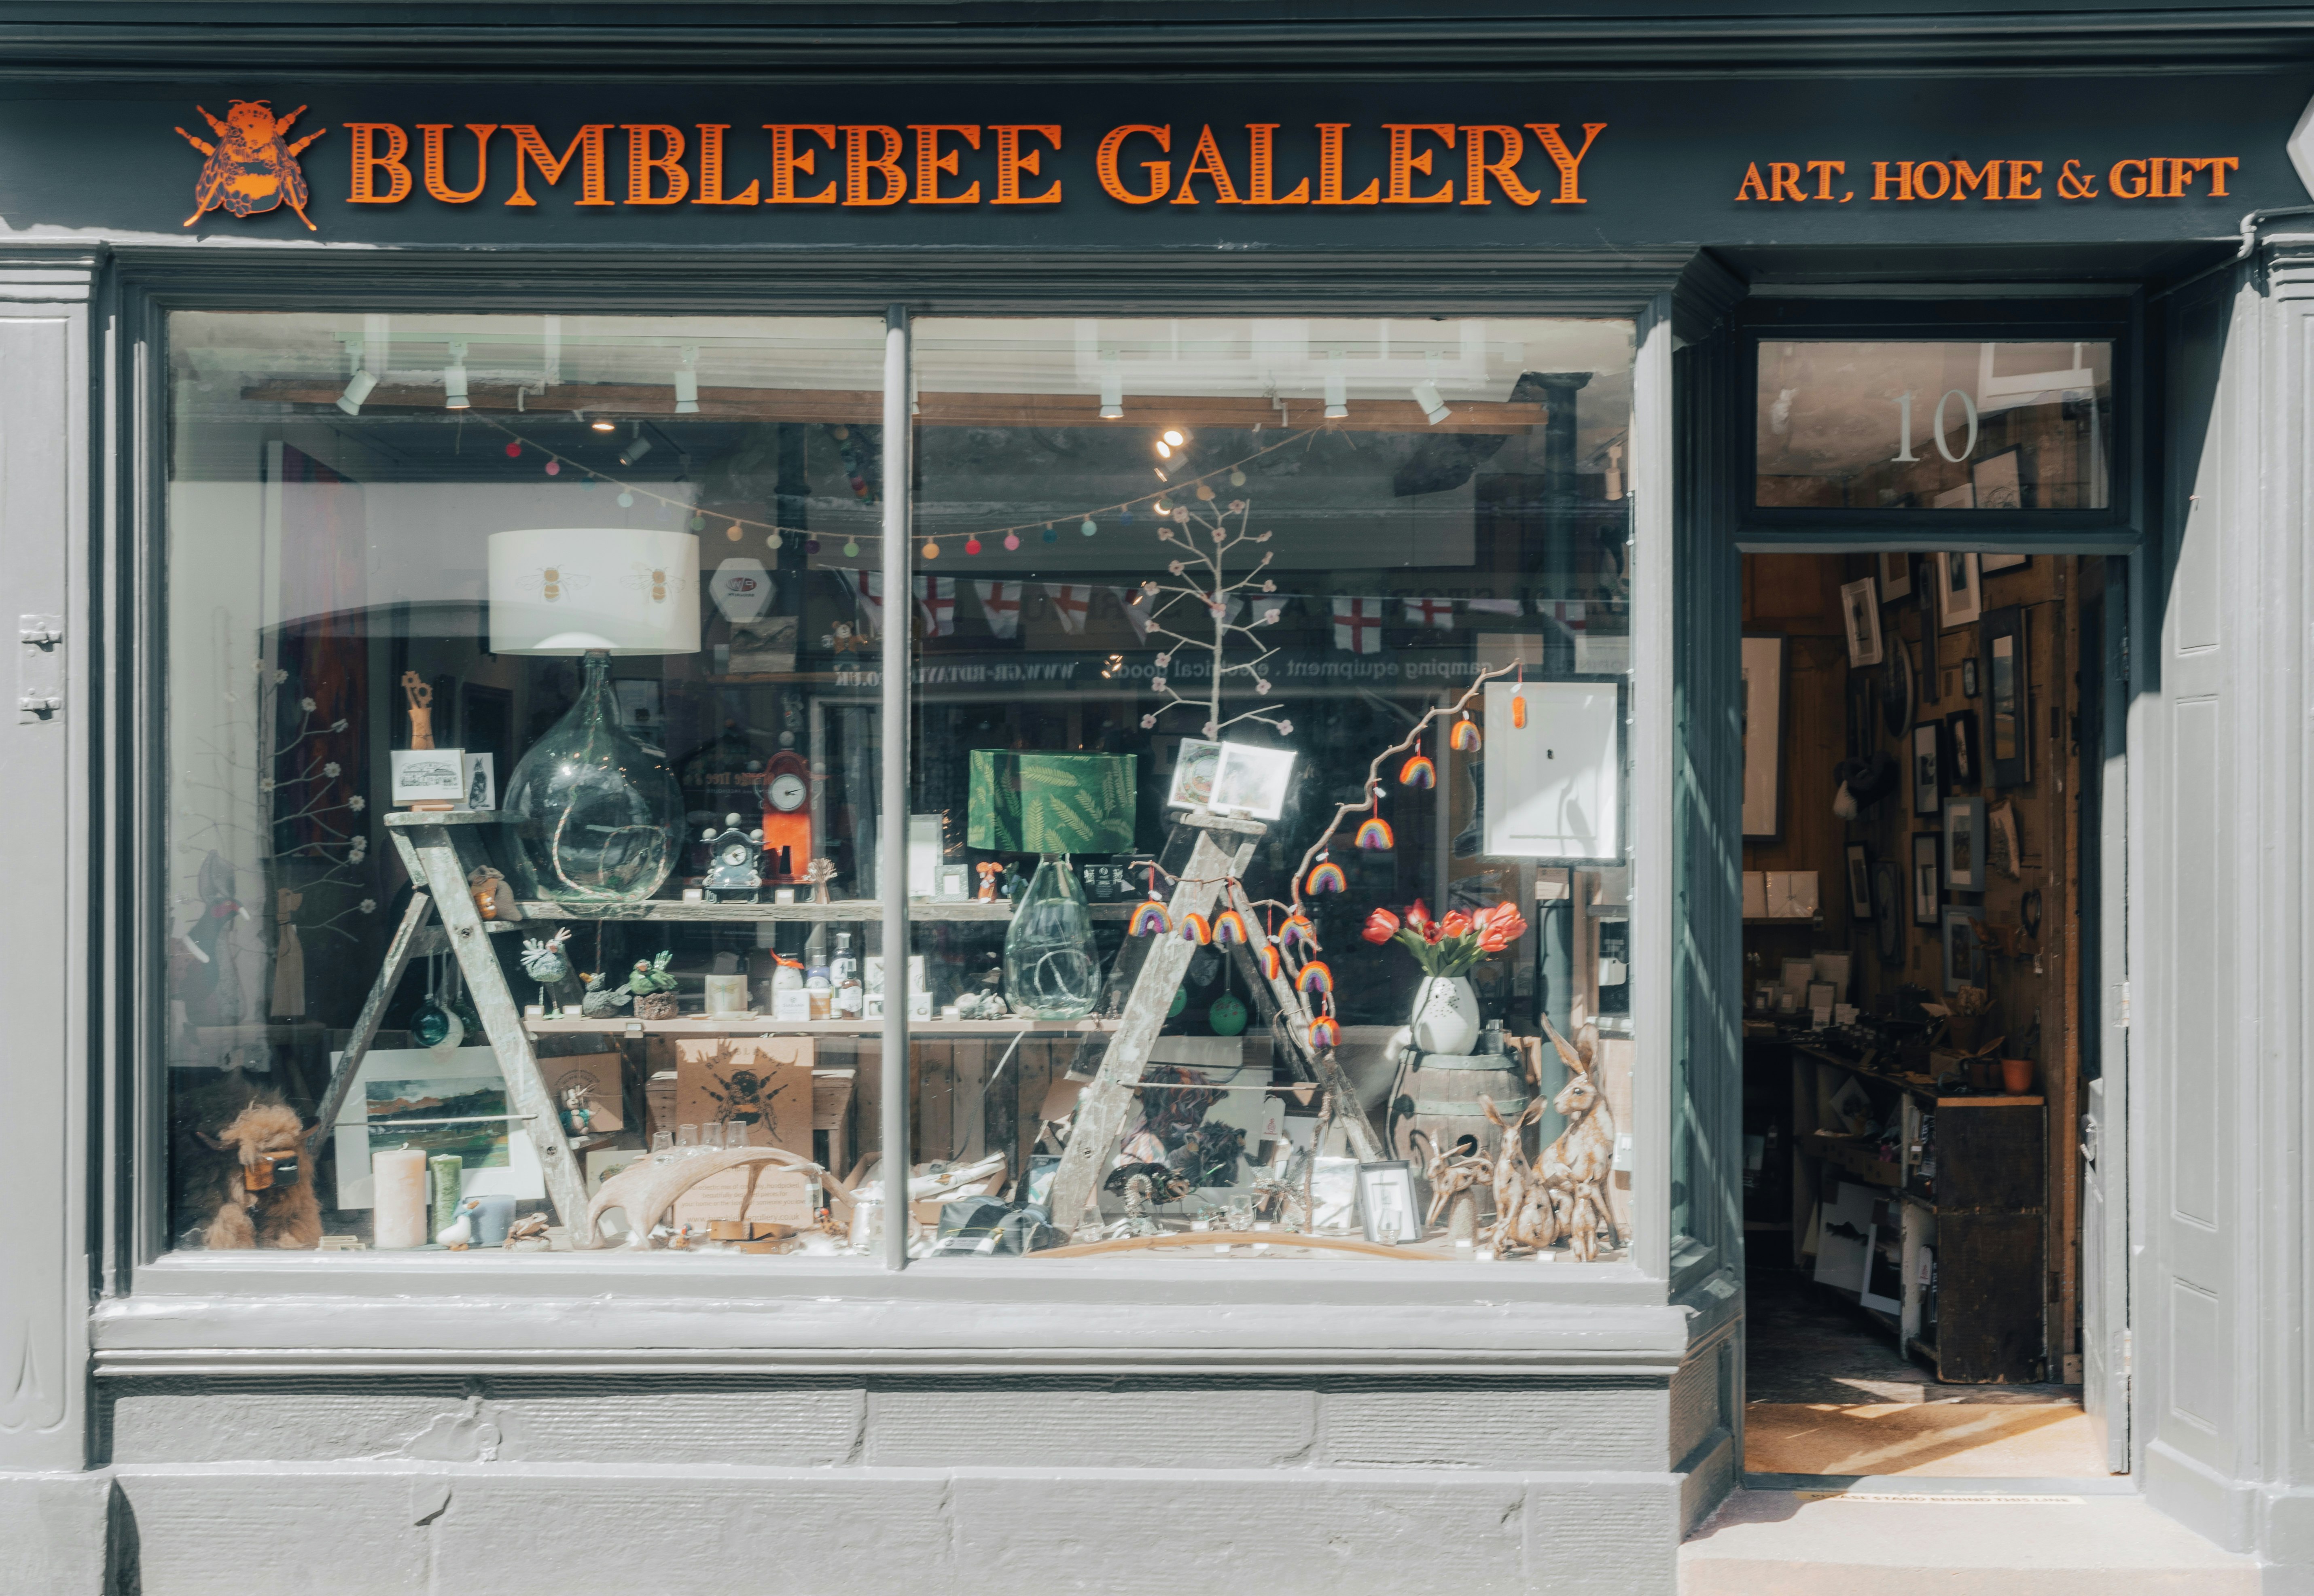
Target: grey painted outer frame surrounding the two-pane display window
(135, 461)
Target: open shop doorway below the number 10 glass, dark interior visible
(1919, 875)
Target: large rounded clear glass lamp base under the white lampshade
(594, 813)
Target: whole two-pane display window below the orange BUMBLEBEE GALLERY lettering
(573, 626)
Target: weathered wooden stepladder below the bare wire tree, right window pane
(1207, 880)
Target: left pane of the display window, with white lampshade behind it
(559, 577)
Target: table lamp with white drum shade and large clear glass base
(596, 815)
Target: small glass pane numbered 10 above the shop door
(1936, 424)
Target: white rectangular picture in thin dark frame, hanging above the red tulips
(1554, 788)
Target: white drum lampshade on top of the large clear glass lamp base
(575, 591)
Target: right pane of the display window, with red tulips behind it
(1174, 572)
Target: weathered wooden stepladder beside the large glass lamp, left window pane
(436, 850)
